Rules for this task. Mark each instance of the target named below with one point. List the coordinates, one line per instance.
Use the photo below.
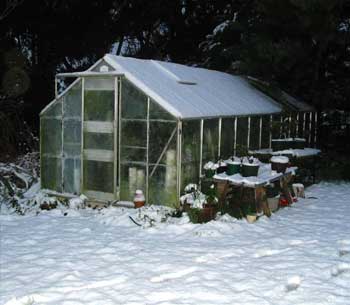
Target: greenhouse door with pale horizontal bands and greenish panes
(99, 139)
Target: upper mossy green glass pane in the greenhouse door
(99, 105)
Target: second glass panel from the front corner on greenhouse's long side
(210, 140)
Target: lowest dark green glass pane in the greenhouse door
(98, 176)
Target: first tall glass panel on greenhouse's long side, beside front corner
(190, 152)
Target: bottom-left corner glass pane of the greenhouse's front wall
(51, 173)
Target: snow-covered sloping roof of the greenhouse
(188, 92)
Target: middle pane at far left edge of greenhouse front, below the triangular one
(51, 136)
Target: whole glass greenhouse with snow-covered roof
(127, 124)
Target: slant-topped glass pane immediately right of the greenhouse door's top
(134, 101)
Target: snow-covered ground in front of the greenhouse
(301, 255)
